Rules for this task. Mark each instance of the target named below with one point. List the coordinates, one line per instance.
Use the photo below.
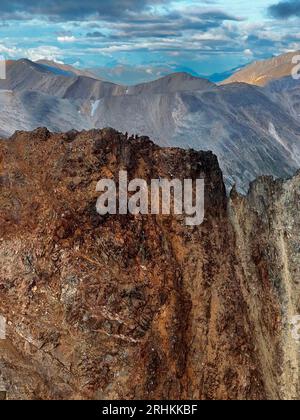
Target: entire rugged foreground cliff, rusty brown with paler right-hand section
(141, 307)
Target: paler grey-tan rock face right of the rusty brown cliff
(267, 226)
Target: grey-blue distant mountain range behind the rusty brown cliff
(254, 130)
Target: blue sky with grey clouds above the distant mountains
(149, 35)
